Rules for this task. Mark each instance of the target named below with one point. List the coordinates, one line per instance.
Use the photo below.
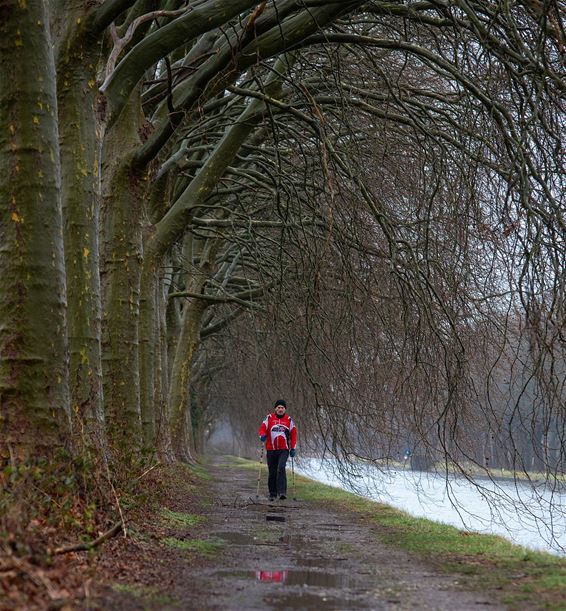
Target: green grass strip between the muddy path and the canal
(524, 578)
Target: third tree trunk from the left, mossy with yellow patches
(121, 269)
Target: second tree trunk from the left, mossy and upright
(80, 138)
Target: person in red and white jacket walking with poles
(279, 433)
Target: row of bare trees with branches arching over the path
(351, 195)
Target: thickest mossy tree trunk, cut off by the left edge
(34, 394)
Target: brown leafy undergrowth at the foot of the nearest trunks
(47, 505)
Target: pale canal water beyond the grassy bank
(531, 515)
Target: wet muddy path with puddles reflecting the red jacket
(294, 555)
